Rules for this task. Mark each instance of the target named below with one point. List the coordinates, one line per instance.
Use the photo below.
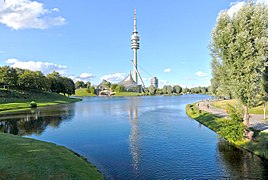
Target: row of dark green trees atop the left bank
(35, 80)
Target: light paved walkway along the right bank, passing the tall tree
(255, 121)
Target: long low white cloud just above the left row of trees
(44, 67)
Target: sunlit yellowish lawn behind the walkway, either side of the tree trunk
(224, 104)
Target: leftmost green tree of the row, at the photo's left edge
(8, 76)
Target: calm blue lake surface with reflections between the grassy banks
(138, 138)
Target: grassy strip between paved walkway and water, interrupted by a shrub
(258, 146)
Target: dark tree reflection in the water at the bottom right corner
(241, 164)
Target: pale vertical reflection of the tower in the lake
(134, 135)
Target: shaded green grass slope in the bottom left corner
(23, 158)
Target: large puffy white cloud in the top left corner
(24, 14)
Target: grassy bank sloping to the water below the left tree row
(13, 100)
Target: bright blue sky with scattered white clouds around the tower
(90, 40)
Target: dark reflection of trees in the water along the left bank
(35, 121)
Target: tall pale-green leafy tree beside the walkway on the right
(239, 51)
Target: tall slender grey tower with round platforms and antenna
(135, 45)
